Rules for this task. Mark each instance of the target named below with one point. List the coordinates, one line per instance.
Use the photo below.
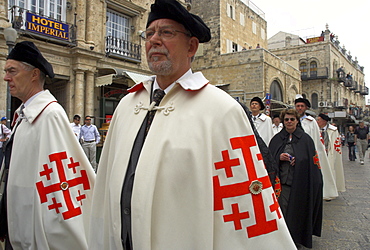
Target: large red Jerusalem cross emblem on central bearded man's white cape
(253, 187)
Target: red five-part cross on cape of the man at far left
(63, 185)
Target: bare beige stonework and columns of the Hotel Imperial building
(77, 67)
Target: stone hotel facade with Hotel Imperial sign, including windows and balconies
(97, 57)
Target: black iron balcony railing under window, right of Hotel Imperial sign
(122, 48)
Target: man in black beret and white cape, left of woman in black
(261, 121)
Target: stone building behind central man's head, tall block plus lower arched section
(243, 73)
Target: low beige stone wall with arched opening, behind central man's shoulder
(250, 73)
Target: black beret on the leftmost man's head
(29, 53)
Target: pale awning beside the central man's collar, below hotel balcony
(112, 73)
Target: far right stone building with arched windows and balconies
(331, 78)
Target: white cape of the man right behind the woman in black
(310, 126)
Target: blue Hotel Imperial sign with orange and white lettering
(46, 26)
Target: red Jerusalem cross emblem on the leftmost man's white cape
(71, 198)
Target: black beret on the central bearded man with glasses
(171, 9)
